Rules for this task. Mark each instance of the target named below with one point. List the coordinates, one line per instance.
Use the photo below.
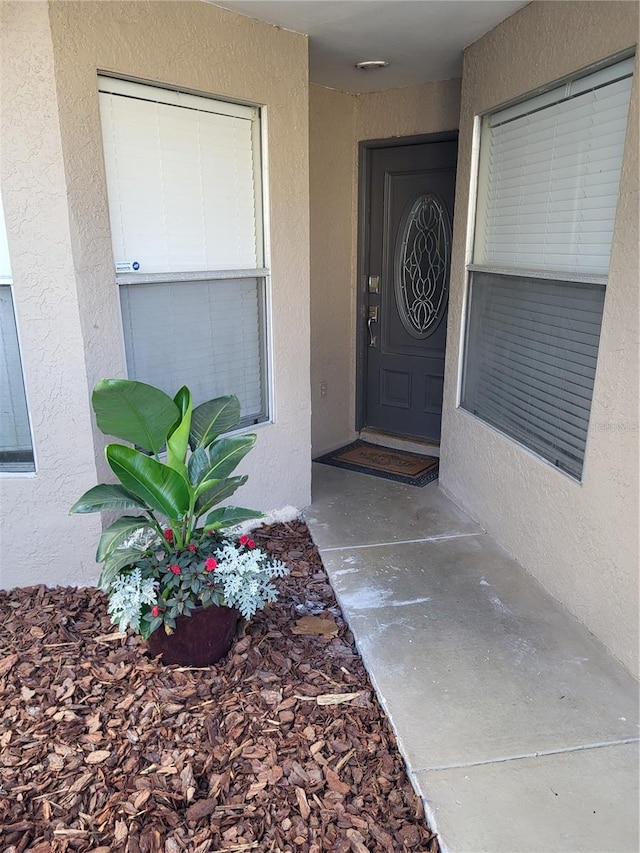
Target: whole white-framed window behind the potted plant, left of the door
(185, 205)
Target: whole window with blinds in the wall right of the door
(547, 192)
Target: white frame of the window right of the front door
(475, 198)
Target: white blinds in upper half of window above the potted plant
(182, 178)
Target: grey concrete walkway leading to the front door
(519, 730)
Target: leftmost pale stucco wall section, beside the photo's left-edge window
(39, 542)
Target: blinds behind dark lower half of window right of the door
(531, 359)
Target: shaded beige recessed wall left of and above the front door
(338, 123)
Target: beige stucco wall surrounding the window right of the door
(579, 540)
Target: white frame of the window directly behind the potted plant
(260, 271)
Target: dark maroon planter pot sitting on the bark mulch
(198, 640)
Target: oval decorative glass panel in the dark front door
(421, 269)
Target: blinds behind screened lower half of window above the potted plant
(205, 334)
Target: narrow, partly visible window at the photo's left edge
(16, 449)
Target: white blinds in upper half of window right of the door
(549, 174)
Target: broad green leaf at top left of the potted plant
(134, 412)
